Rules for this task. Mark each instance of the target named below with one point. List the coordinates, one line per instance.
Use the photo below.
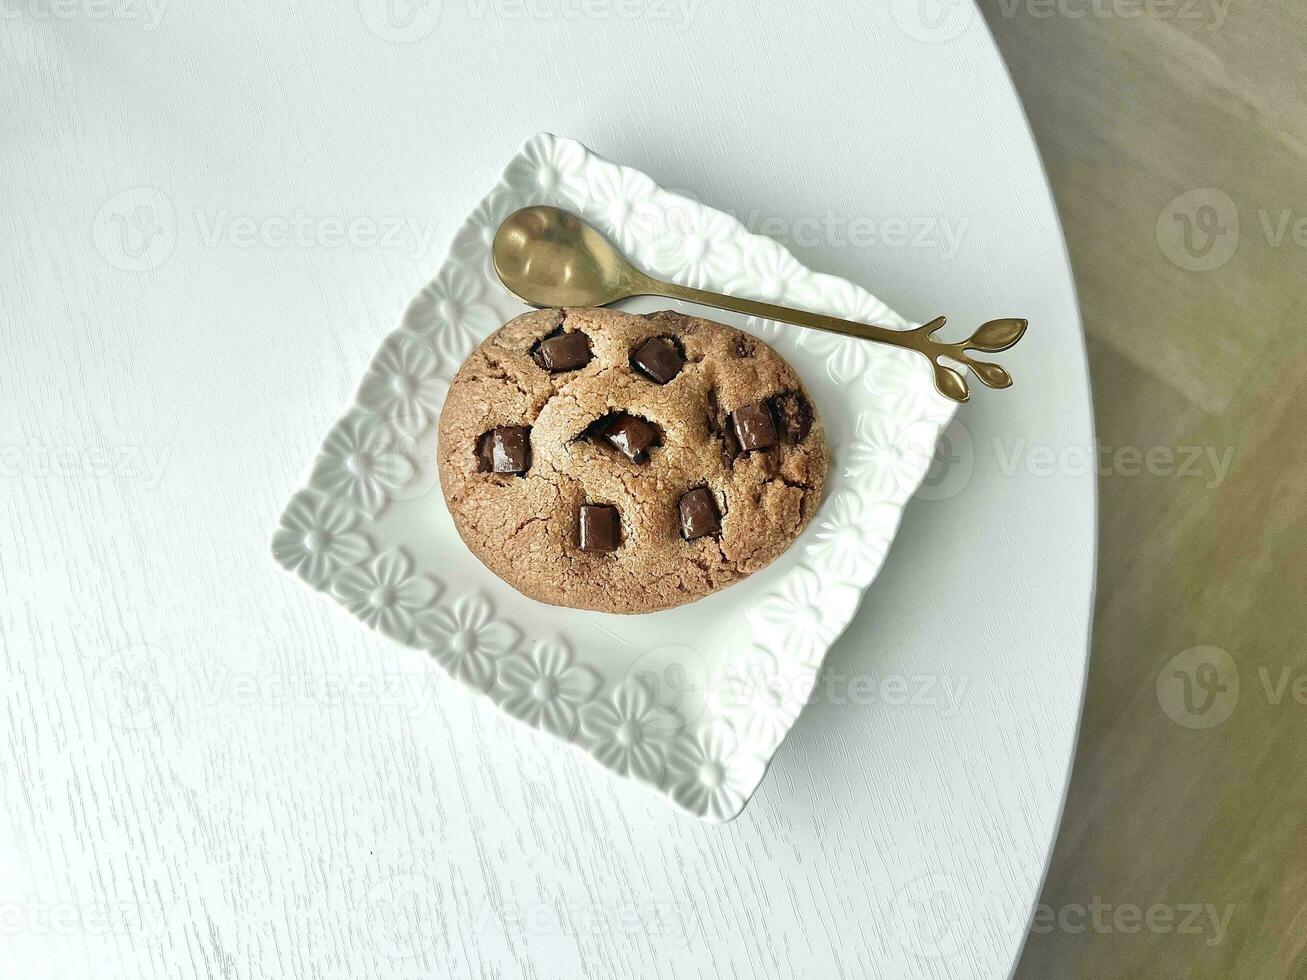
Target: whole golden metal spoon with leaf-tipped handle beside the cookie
(548, 257)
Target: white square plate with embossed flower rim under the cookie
(692, 702)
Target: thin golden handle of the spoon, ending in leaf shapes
(993, 336)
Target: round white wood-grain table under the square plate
(211, 214)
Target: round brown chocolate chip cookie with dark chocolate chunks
(603, 461)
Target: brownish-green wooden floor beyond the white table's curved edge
(1130, 114)
